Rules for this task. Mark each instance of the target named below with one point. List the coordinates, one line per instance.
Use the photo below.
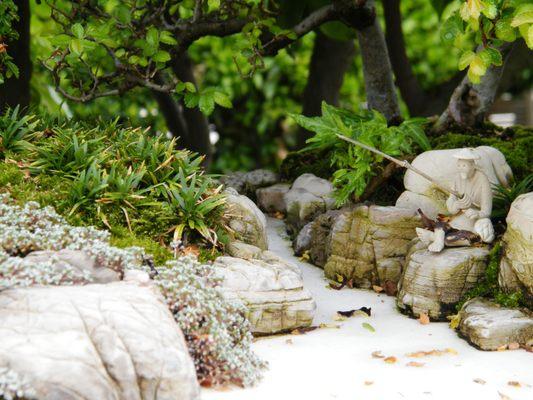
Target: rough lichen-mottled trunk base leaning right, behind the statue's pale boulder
(470, 102)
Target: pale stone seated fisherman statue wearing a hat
(470, 220)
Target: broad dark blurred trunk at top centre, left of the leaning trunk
(330, 60)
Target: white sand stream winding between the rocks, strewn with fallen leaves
(336, 363)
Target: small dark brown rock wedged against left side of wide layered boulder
(313, 238)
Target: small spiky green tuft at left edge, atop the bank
(14, 130)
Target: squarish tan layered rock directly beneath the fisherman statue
(433, 283)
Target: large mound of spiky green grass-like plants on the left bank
(113, 175)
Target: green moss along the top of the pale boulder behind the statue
(516, 144)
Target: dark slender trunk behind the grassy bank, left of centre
(196, 124)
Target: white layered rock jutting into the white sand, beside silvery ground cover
(270, 288)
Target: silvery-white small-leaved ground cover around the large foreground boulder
(217, 332)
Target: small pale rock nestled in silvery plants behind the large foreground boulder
(76, 259)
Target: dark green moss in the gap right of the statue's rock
(488, 286)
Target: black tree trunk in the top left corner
(17, 91)
